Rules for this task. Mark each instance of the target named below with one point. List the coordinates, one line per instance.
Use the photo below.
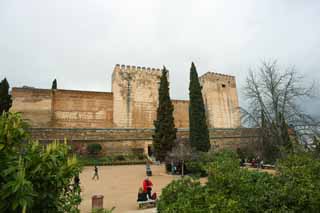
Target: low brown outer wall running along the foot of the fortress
(137, 140)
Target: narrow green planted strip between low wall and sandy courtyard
(129, 159)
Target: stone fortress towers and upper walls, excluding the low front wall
(131, 104)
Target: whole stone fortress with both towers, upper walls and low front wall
(122, 120)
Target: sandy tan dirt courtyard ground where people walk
(119, 185)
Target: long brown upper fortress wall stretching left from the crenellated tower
(64, 108)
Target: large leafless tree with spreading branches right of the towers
(273, 99)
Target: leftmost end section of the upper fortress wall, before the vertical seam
(34, 104)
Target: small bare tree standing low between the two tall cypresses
(181, 152)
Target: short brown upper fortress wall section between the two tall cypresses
(181, 113)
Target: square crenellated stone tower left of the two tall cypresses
(135, 92)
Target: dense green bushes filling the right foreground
(295, 188)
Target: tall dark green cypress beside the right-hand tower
(199, 134)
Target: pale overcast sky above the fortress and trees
(79, 41)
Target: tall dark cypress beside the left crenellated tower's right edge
(165, 131)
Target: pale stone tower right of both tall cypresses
(221, 100)
